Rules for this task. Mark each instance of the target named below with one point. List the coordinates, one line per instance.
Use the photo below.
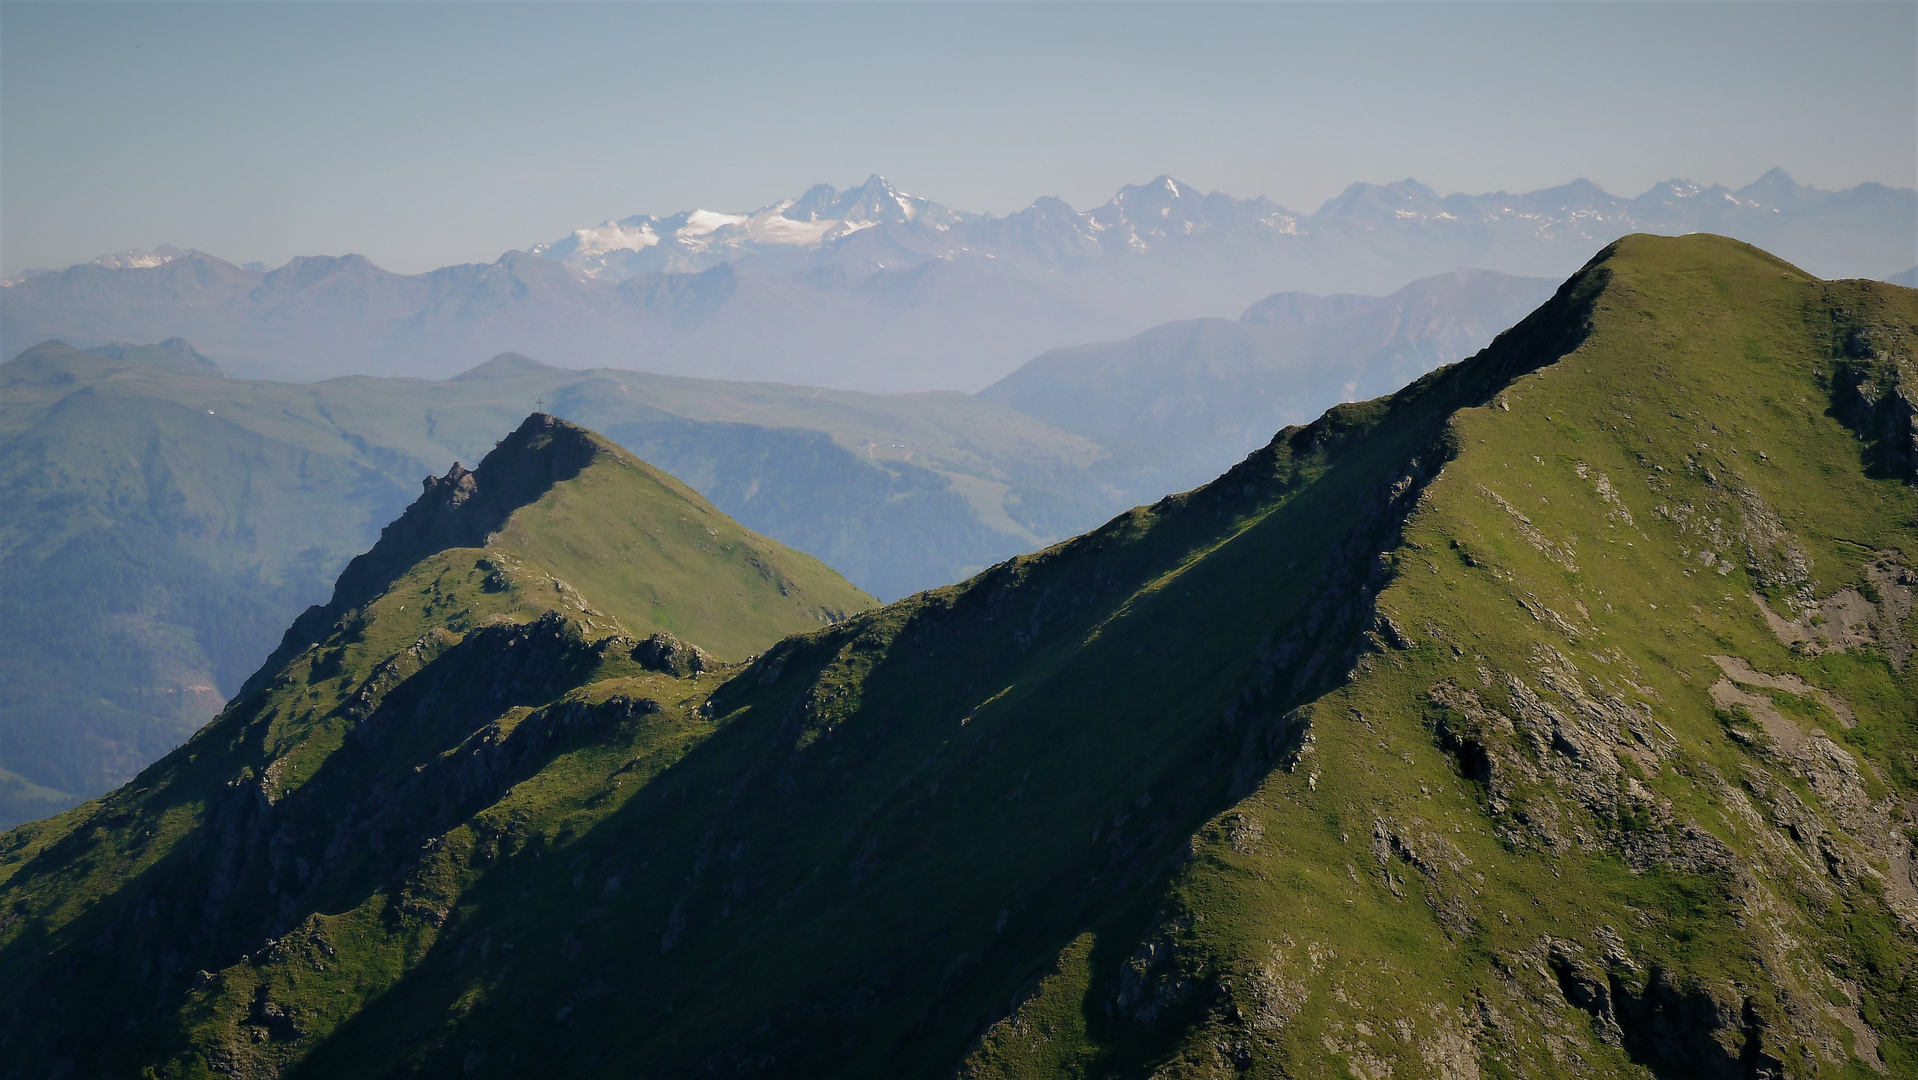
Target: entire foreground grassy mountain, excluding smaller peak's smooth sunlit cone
(1547, 718)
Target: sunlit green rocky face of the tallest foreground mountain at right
(1384, 906)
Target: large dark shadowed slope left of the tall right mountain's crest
(908, 818)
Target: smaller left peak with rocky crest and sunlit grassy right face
(617, 546)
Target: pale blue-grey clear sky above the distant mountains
(425, 135)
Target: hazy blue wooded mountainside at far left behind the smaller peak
(152, 553)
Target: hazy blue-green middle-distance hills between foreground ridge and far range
(172, 525)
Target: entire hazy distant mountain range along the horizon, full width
(879, 291)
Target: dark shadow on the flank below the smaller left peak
(425, 755)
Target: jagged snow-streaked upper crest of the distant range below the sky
(814, 229)
